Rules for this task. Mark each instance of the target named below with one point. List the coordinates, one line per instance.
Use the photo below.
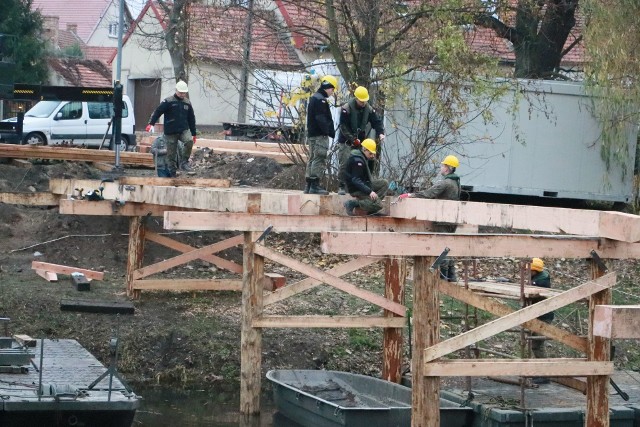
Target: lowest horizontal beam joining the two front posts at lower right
(520, 367)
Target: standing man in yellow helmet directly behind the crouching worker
(357, 118)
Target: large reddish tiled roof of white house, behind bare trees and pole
(216, 35)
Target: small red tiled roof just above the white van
(82, 72)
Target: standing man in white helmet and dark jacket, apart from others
(179, 125)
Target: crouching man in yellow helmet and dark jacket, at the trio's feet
(367, 191)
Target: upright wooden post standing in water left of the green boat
(251, 338)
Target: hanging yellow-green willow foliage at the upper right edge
(612, 42)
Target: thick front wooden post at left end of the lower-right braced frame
(426, 332)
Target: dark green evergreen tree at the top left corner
(27, 47)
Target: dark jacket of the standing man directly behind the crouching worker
(356, 122)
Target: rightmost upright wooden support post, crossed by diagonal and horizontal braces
(599, 350)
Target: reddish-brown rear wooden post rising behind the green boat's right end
(395, 272)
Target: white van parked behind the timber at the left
(76, 123)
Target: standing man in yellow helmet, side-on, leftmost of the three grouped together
(320, 132)
